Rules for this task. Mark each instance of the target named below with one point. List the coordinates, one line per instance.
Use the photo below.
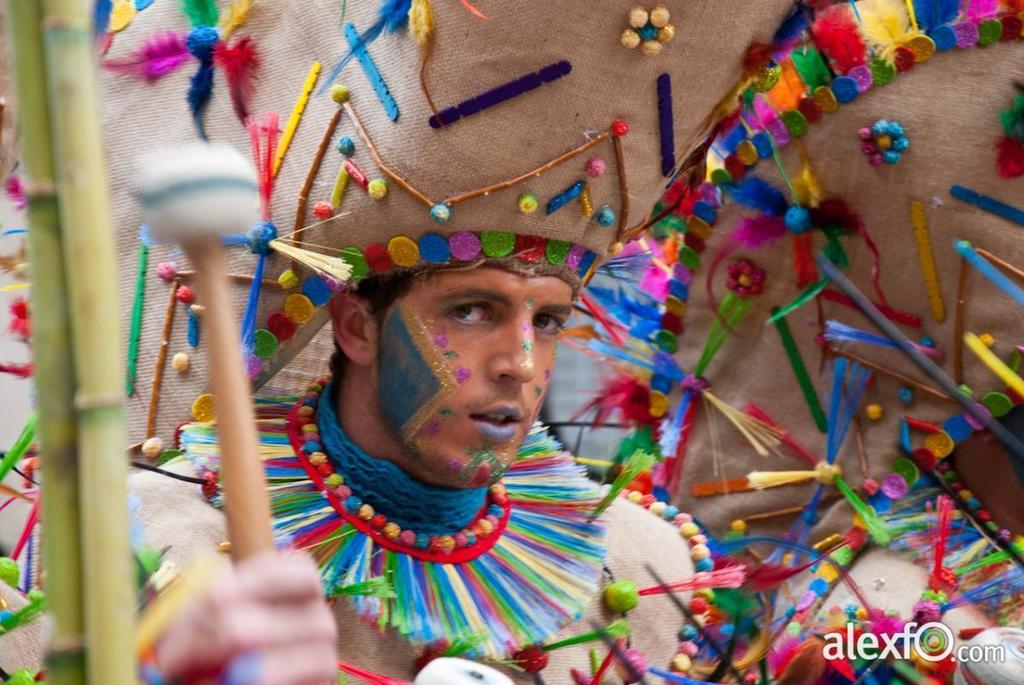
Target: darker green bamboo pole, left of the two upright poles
(53, 368)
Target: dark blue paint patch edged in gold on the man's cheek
(413, 378)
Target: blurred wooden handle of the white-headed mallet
(247, 505)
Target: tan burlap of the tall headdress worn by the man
(471, 57)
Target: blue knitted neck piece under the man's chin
(413, 505)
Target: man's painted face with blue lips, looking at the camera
(464, 361)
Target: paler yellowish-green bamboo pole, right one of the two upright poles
(90, 263)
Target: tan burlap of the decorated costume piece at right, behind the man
(950, 107)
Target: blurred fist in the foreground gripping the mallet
(266, 617)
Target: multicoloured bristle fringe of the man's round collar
(551, 551)
